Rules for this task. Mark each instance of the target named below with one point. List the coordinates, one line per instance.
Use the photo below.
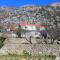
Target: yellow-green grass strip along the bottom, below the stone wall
(26, 57)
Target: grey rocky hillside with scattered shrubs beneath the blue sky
(48, 15)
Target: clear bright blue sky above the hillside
(26, 2)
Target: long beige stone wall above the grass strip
(34, 49)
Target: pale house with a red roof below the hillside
(32, 29)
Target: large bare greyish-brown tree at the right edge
(54, 34)
